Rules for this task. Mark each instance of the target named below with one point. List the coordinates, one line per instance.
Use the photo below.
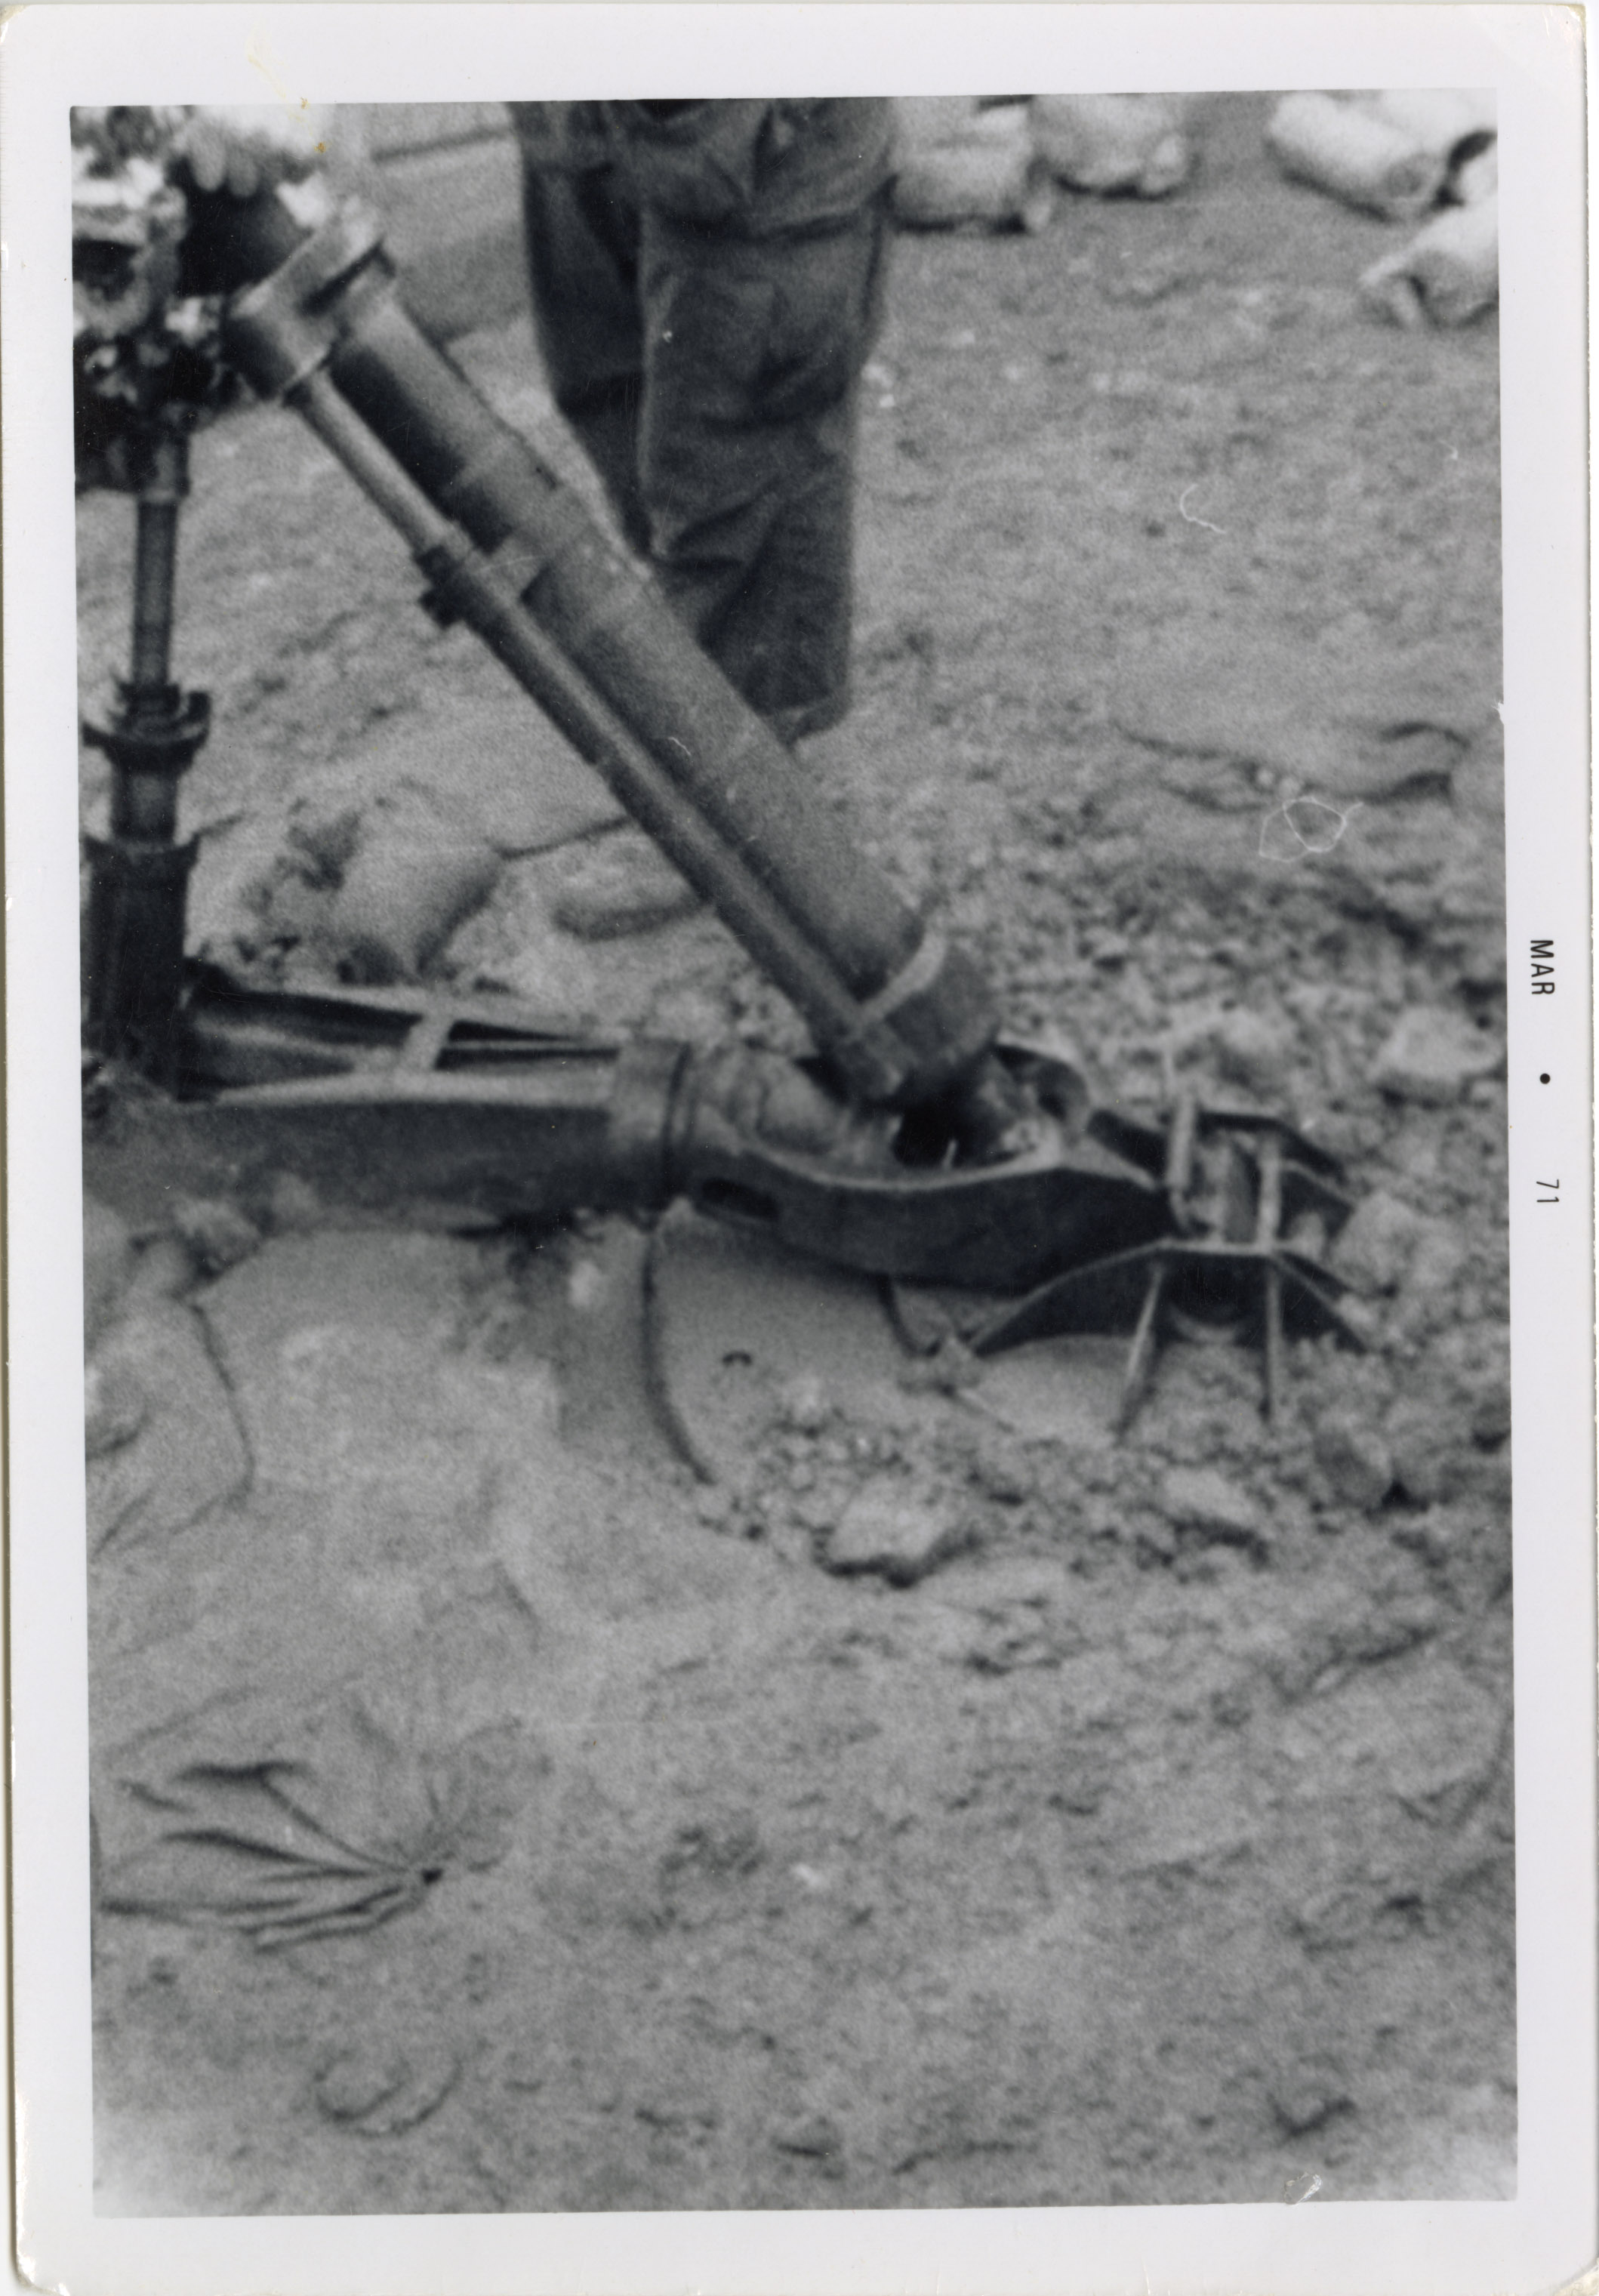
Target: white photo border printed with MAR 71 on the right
(1534, 56)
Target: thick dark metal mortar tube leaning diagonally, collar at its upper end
(337, 302)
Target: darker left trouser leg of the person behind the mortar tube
(582, 242)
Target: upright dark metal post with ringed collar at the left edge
(139, 874)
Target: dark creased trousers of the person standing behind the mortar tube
(713, 380)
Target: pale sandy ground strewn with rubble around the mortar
(580, 1833)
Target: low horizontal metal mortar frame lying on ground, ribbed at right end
(401, 1106)
